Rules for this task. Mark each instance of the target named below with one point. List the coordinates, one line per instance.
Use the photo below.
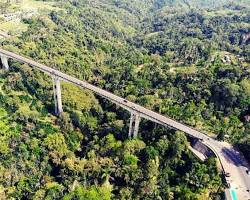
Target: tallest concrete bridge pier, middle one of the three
(57, 95)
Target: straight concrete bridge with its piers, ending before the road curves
(137, 112)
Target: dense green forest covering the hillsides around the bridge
(186, 59)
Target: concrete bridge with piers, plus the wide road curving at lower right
(231, 160)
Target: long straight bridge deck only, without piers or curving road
(128, 105)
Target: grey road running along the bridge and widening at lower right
(232, 161)
